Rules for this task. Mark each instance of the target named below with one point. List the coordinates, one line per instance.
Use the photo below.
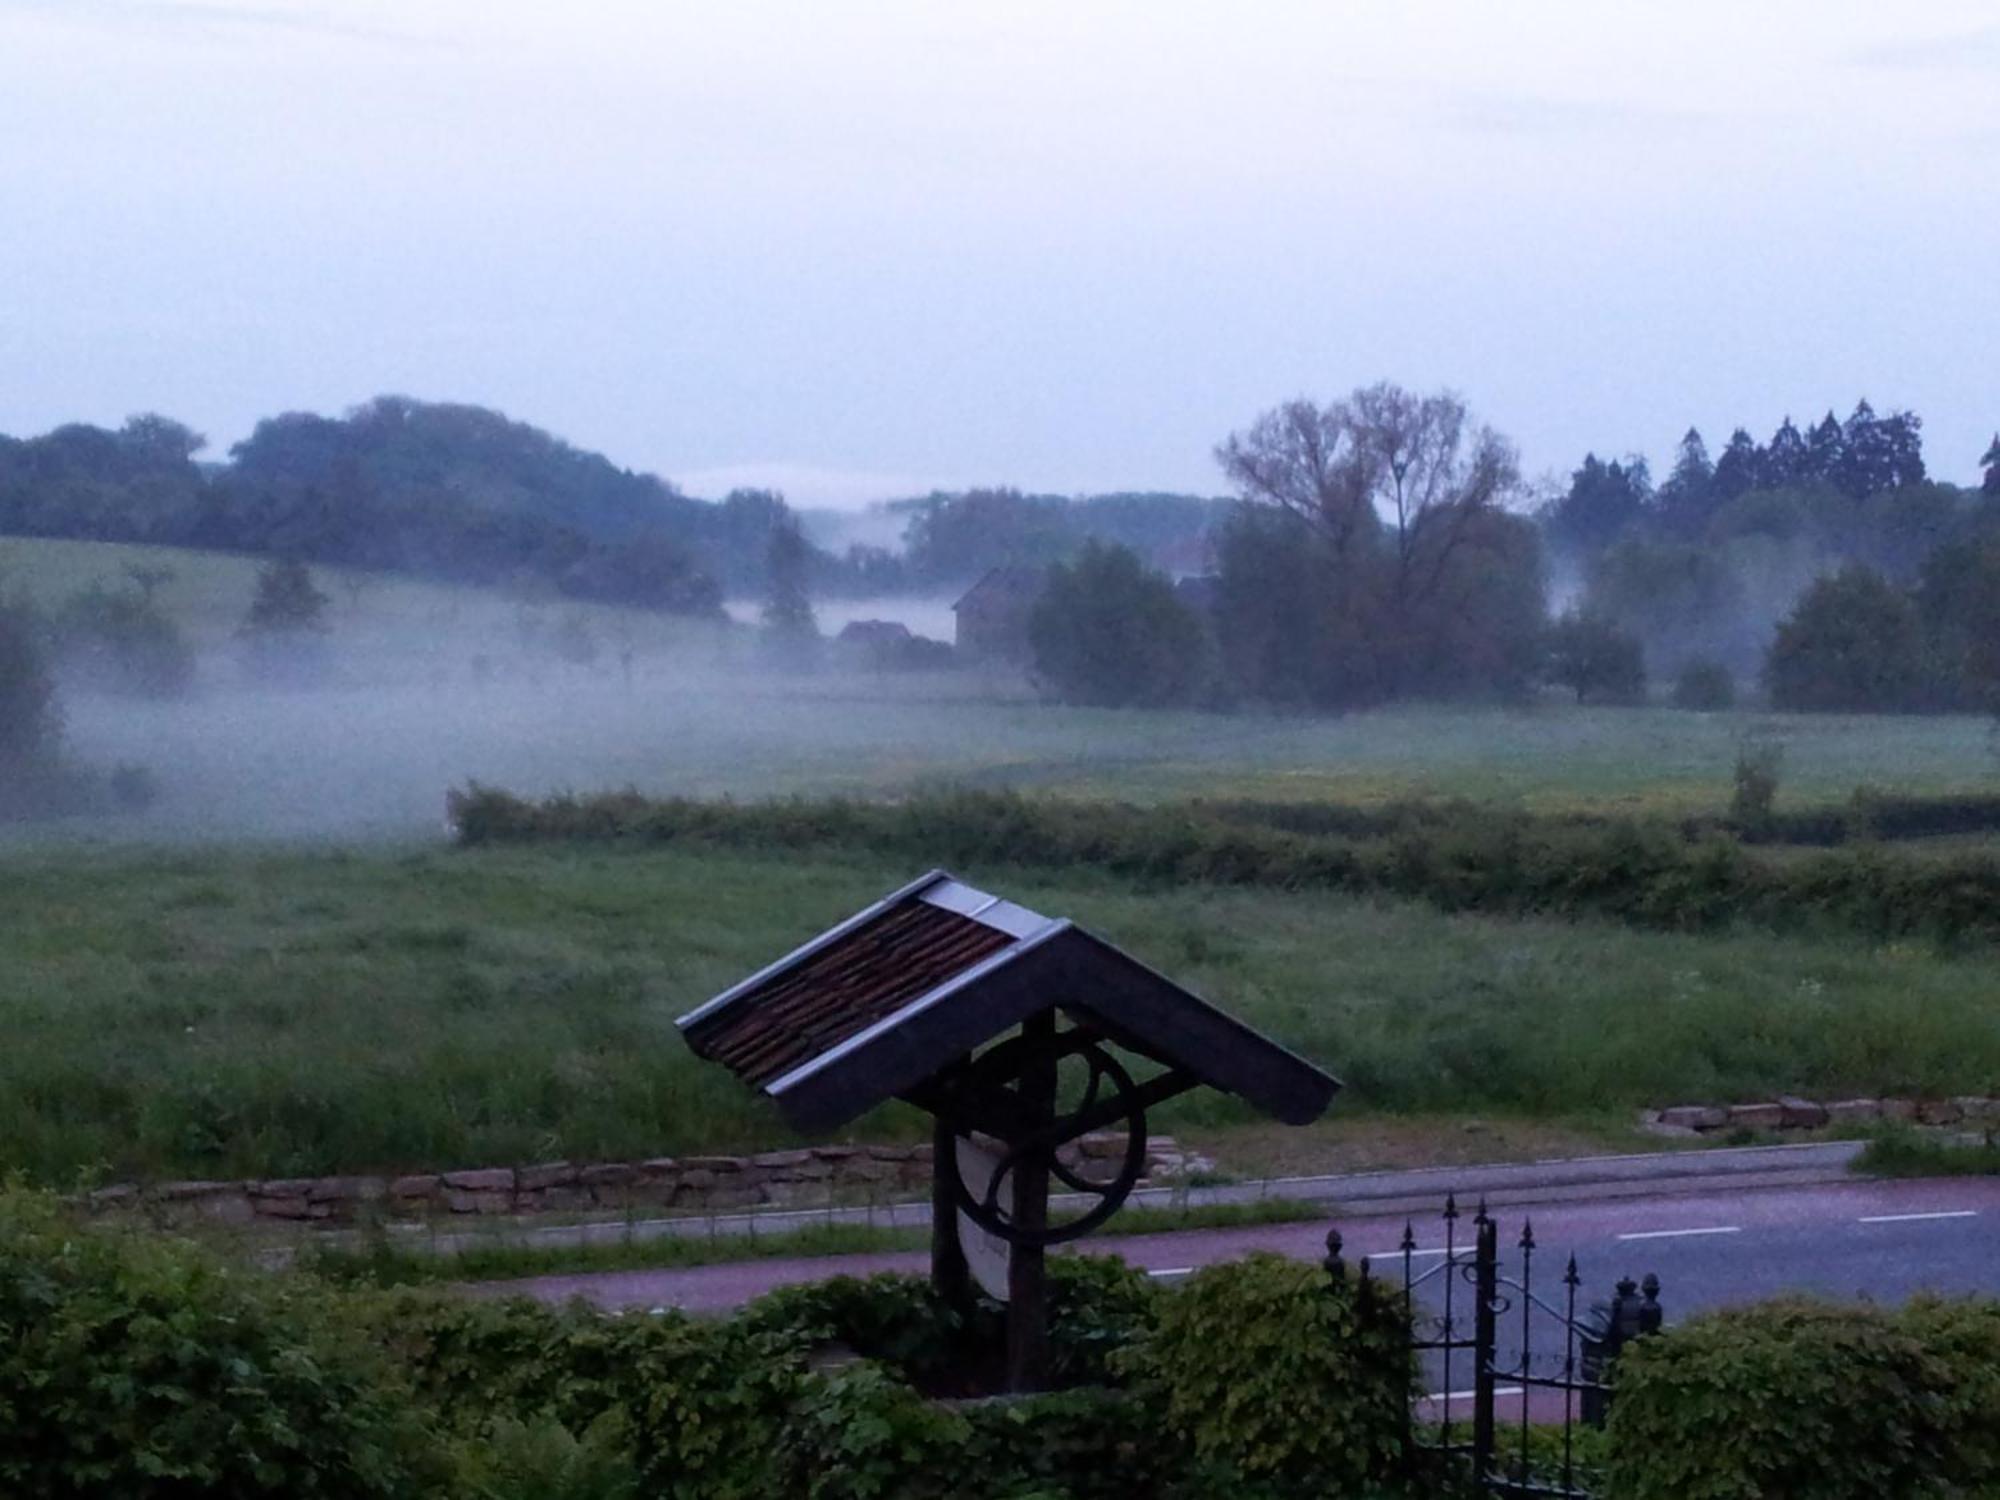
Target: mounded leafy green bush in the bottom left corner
(143, 1367)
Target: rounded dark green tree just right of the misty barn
(1107, 631)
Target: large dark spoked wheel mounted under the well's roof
(1105, 1101)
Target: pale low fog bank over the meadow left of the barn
(375, 749)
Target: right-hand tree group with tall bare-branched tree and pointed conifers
(1385, 547)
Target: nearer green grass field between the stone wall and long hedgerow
(231, 1013)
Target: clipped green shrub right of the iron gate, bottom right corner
(1809, 1399)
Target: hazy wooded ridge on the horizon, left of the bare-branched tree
(467, 495)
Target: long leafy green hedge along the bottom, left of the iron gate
(145, 1365)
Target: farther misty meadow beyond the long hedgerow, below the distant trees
(413, 715)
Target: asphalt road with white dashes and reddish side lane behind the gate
(1881, 1241)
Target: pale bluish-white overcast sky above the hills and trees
(871, 247)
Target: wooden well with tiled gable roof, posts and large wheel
(1019, 1035)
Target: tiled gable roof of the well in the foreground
(905, 989)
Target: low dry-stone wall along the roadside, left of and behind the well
(809, 1177)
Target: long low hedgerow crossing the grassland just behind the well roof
(1645, 873)
